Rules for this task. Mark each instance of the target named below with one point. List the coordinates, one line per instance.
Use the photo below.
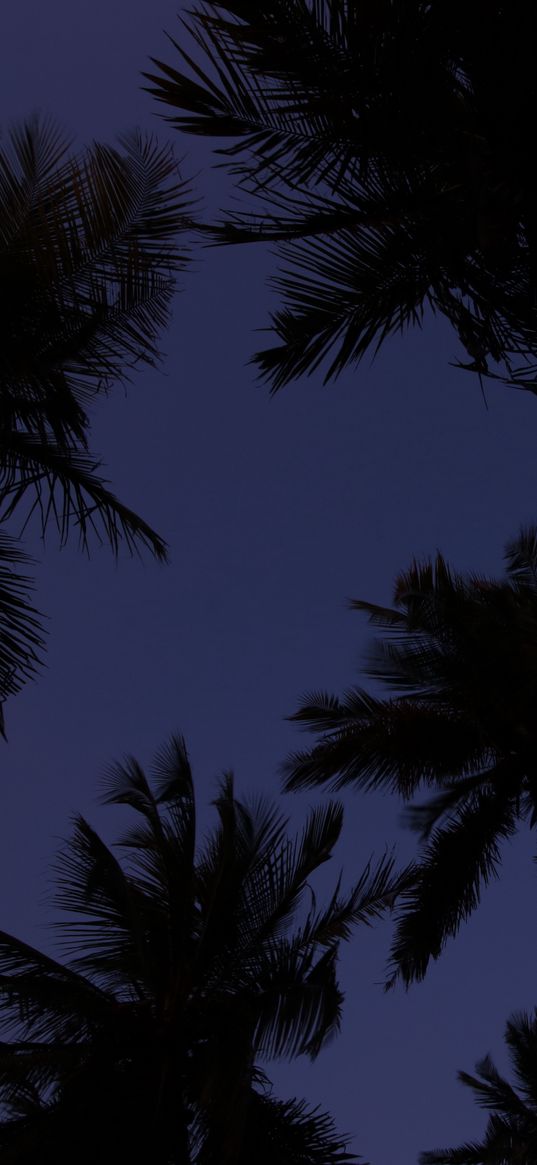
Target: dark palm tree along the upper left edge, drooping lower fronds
(88, 259)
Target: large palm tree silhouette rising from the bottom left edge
(182, 970)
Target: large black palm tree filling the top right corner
(383, 146)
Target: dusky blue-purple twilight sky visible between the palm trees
(277, 512)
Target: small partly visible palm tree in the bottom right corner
(511, 1138)
